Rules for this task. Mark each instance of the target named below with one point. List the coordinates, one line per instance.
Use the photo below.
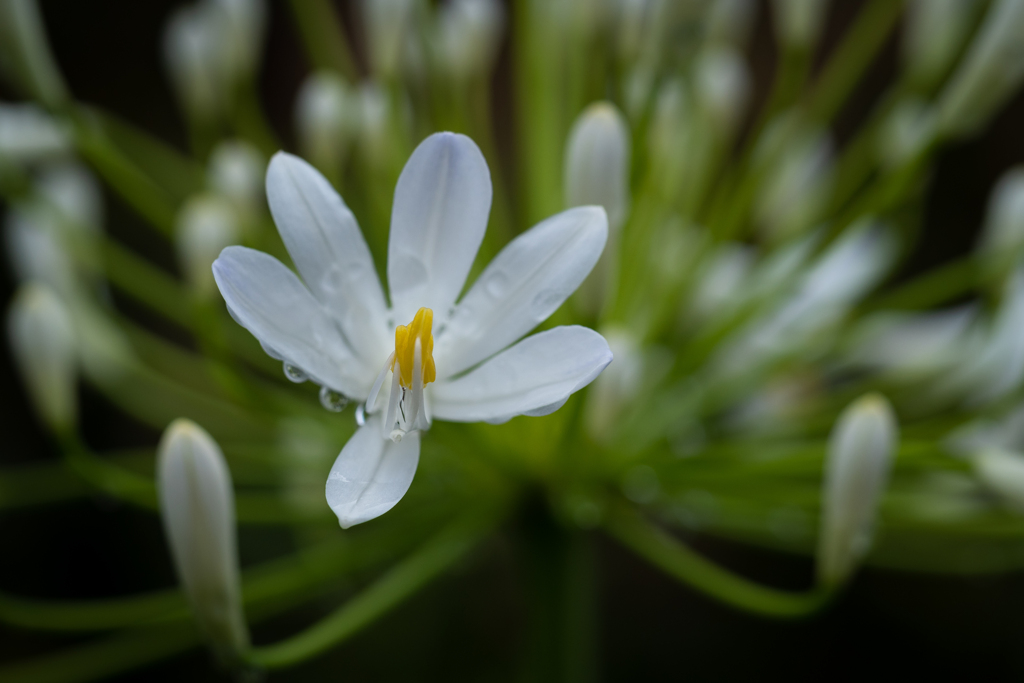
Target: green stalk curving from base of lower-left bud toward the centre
(401, 583)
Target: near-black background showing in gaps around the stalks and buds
(470, 626)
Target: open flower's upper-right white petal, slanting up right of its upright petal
(523, 287)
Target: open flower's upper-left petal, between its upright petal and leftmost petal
(328, 248)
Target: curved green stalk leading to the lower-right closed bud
(673, 558)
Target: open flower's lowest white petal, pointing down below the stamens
(371, 475)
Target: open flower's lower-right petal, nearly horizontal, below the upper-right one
(534, 377)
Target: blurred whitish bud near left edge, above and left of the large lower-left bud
(42, 341)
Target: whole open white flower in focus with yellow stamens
(453, 362)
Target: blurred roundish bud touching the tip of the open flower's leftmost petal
(206, 225)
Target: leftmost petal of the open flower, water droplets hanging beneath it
(270, 302)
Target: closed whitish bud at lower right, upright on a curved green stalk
(858, 465)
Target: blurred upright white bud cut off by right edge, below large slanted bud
(1003, 238)
